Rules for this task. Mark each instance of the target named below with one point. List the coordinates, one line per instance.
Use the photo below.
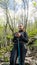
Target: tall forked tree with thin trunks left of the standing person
(6, 11)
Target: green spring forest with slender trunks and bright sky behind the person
(12, 13)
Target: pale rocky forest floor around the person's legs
(31, 58)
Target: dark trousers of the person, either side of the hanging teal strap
(14, 54)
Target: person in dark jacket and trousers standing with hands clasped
(23, 39)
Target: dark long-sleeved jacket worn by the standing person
(22, 39)
